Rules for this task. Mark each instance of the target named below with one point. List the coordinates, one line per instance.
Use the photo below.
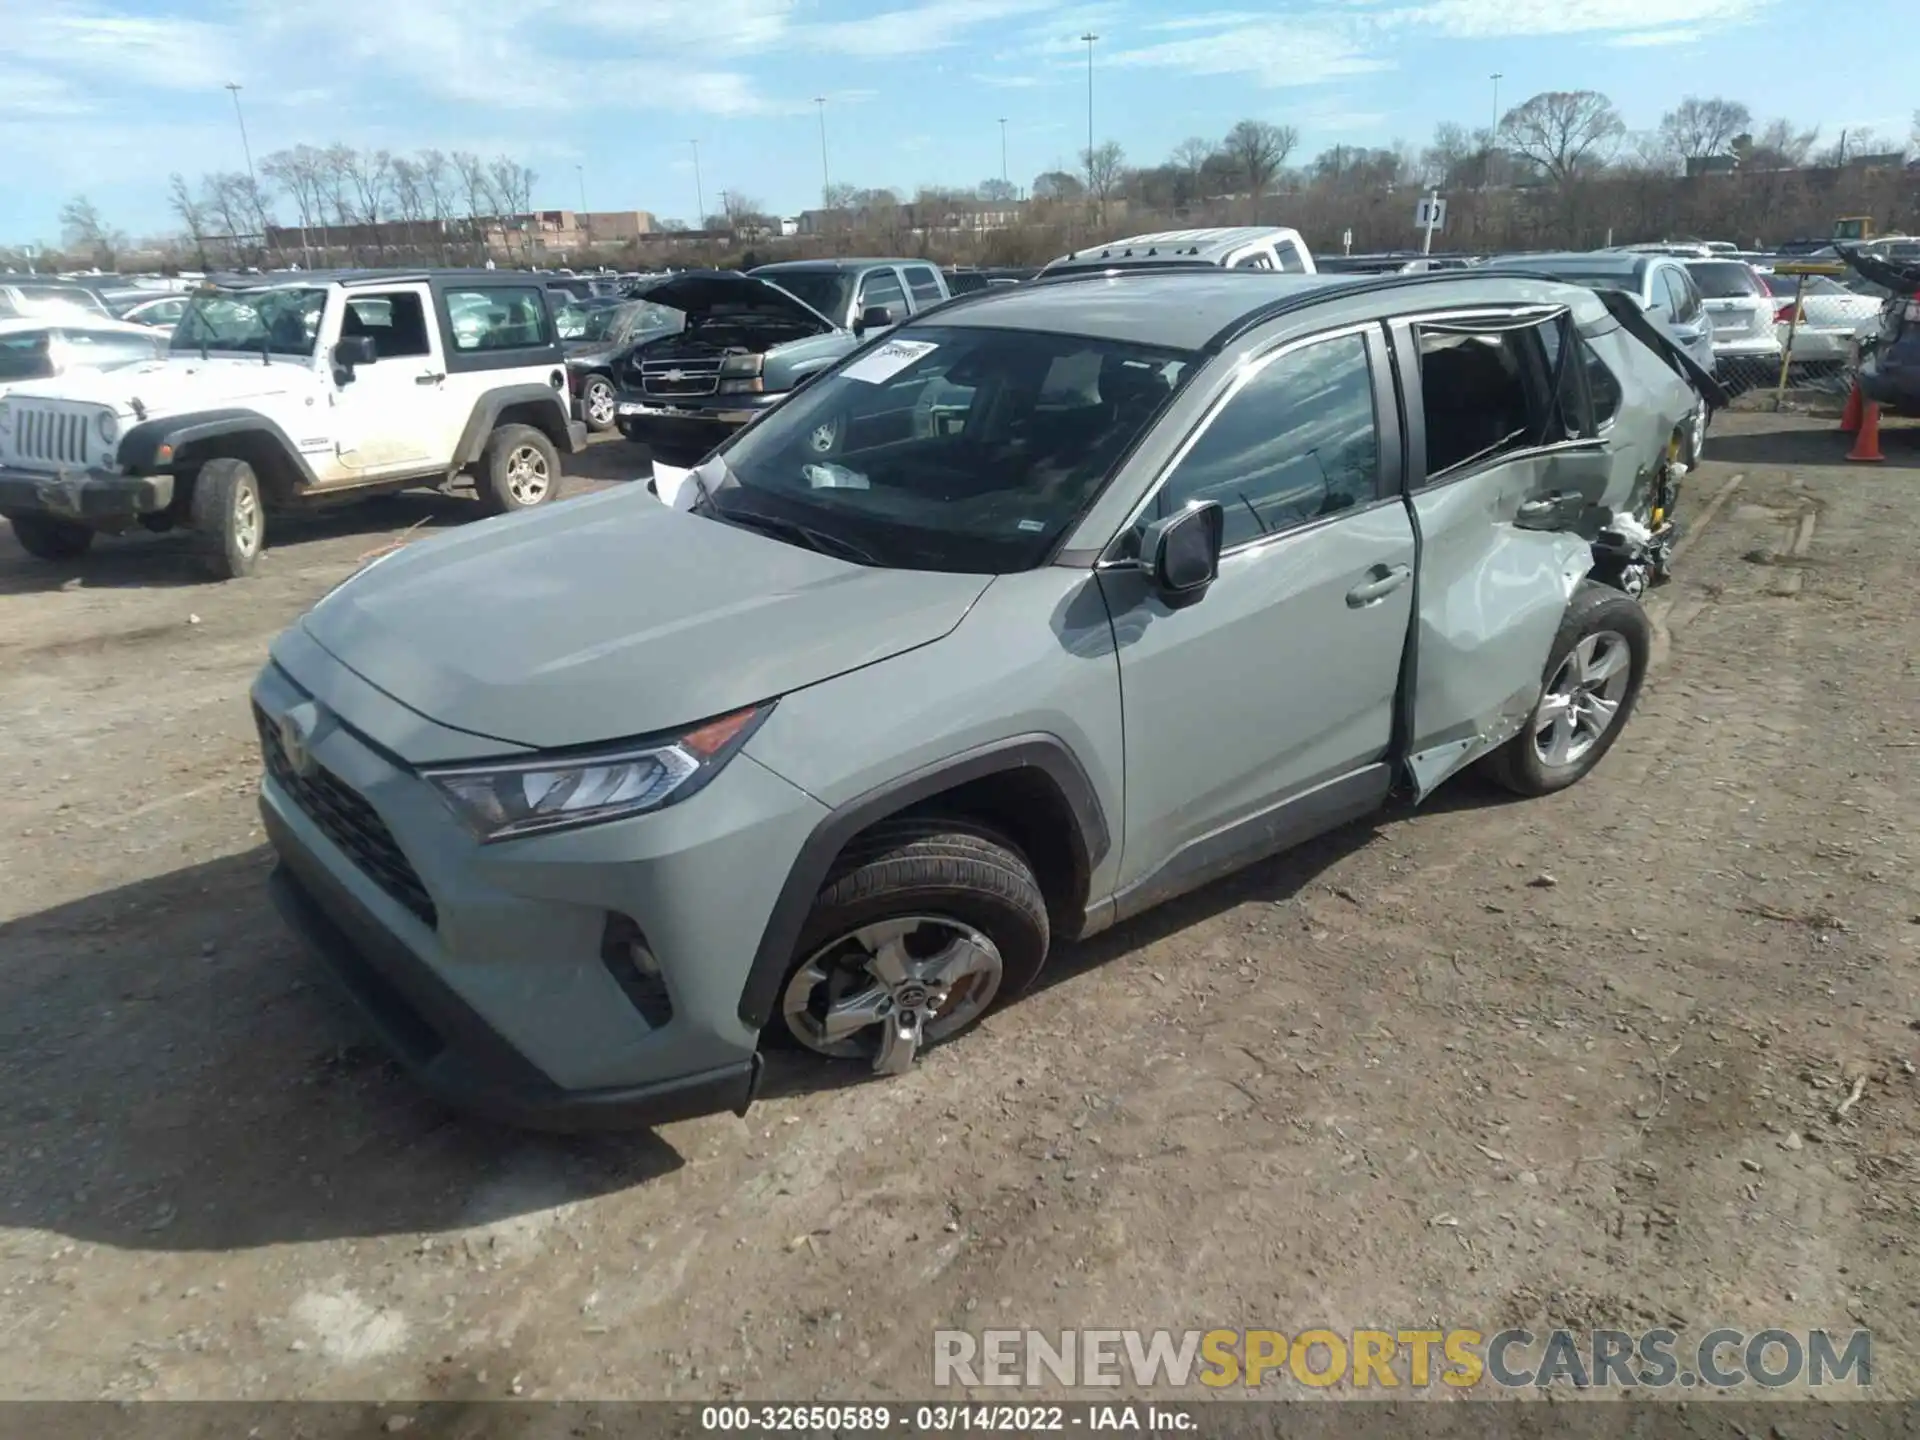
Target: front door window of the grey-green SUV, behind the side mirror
(1299, 441)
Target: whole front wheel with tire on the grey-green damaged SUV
(971, 932)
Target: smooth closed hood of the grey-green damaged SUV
(613, 617)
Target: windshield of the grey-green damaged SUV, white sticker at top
(948, 448)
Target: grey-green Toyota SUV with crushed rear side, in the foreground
(1099, 588)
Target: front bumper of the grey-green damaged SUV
(483, 967)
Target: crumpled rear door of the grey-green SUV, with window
(1508, 487)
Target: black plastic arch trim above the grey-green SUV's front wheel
(817, 857)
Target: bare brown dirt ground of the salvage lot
(1570, 1061)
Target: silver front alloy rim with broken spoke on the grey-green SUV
(886, 990)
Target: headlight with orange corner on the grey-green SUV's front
(523, 798)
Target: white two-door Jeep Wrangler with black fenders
(291, 395)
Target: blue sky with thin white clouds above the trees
(107, 99)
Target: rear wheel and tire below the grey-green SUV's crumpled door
(1600, 623)
